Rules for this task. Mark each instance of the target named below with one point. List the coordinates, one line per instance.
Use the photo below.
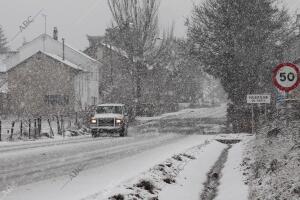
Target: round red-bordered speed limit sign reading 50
(286, 77)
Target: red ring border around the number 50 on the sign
(276, 70)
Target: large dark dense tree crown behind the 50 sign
(237, 42)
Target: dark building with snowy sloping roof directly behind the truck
(117, 85)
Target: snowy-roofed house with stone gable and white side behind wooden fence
(46, 76)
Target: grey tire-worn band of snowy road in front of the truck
(34, 164)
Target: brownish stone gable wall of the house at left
(41, 85)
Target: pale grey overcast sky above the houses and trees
(76, 19)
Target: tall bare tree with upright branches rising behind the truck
(136, 31)
